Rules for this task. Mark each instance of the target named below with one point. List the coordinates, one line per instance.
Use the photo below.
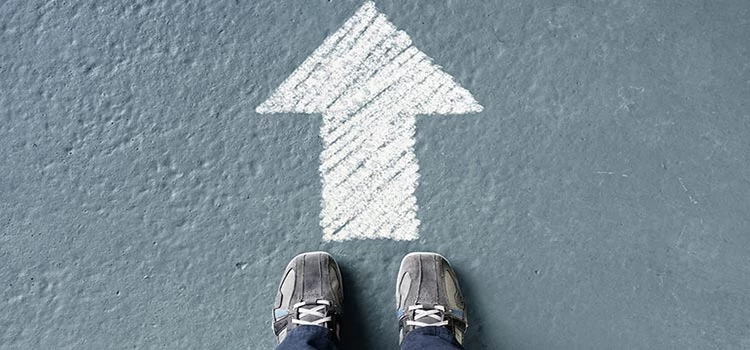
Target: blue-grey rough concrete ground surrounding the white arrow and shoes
(600, 201)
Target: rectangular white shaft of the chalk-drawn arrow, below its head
(369, 179)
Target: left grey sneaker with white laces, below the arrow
(310, 293)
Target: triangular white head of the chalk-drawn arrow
(369, 61)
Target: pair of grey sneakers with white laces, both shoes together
(427, 295)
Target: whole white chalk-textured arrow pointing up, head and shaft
(369, 83)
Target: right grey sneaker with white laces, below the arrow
(428, 295)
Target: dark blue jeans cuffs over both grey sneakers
(319, 338)
